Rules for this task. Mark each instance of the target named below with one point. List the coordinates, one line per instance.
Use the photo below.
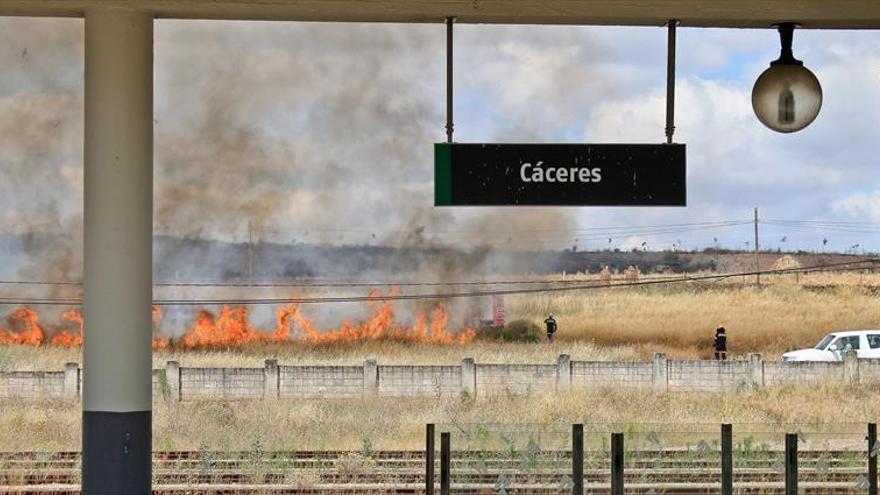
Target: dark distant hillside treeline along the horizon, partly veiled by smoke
(205, 260)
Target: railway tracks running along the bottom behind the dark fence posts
(473, 472)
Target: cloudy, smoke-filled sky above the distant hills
(324, 132)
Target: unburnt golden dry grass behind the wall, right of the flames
(680, 320)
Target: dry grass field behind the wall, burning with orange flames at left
(613, 324)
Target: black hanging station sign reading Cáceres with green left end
(559, 175)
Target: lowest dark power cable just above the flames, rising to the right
(843, 266)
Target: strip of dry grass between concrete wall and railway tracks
(399, 423)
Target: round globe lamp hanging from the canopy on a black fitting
(787, 96)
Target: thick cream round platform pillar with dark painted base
(118, 233)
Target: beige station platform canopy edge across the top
(811, 14)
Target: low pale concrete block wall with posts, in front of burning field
(477, 380)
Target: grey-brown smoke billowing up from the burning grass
(289, 133)
